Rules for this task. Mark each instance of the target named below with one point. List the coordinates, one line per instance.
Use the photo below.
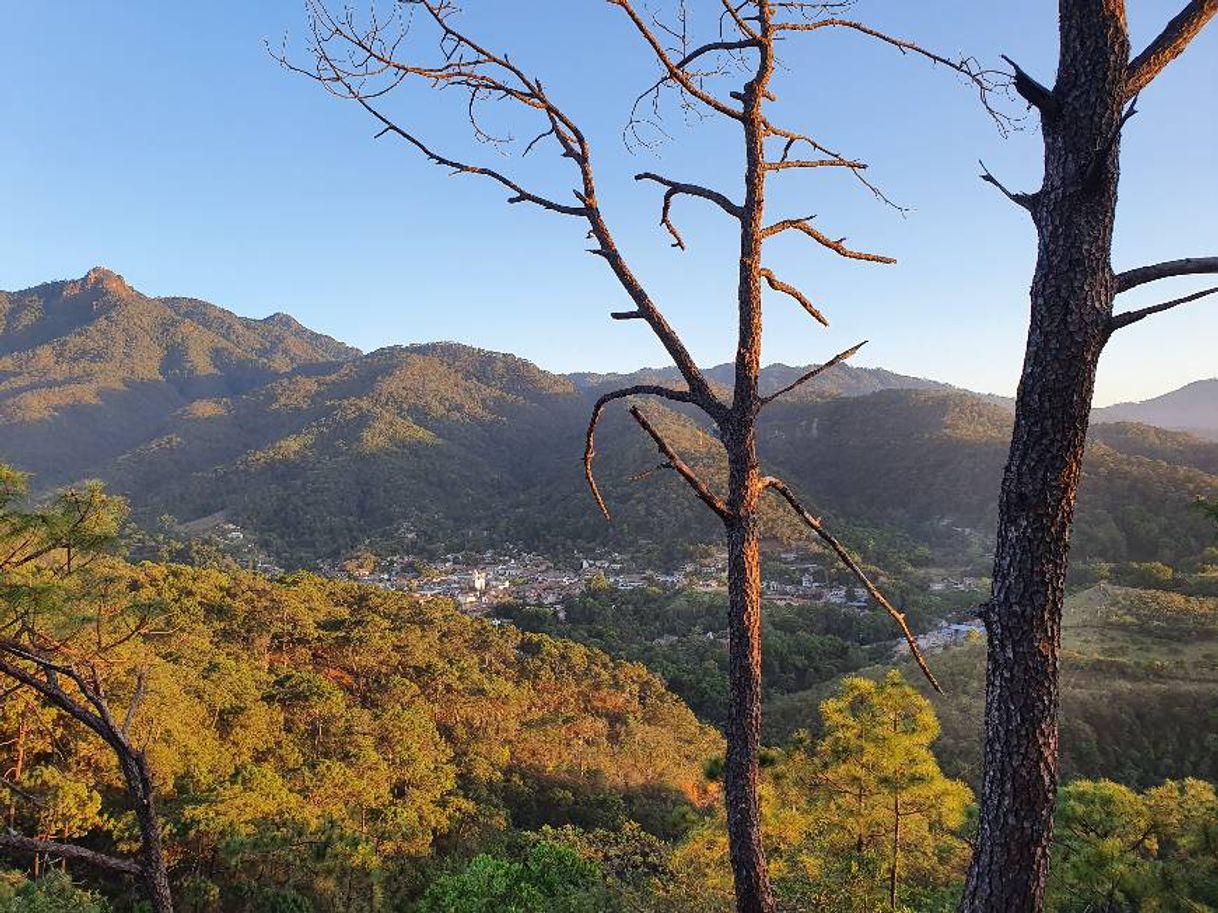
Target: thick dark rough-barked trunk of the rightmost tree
(1072, 296)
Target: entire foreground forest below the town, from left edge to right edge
(323, 747)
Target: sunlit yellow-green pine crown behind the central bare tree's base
(845, 814)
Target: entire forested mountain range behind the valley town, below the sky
(194, 412)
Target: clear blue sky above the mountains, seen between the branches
(159, 139)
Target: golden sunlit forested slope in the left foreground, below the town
(316, 741)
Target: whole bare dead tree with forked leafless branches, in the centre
(356, 60)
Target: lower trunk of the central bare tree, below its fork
(753, 893)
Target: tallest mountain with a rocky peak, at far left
(92, 368)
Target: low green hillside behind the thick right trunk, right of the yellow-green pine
(1139, 691)
